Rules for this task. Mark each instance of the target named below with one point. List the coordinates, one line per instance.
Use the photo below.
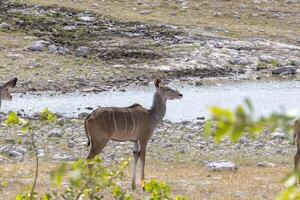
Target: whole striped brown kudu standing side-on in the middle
(134, 123)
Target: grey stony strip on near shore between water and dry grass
(66, 141)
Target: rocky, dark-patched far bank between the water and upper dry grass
(54, 48)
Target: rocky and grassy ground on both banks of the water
(93, 46)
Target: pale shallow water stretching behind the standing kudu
(266, 97)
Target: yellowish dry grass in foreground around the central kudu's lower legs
(248, 182)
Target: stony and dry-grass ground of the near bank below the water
(179, 148)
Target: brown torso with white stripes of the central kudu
(119, 123)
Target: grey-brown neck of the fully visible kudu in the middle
(158, 108)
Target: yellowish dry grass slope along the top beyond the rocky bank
(239, 19)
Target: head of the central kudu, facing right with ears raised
(165, 92)
